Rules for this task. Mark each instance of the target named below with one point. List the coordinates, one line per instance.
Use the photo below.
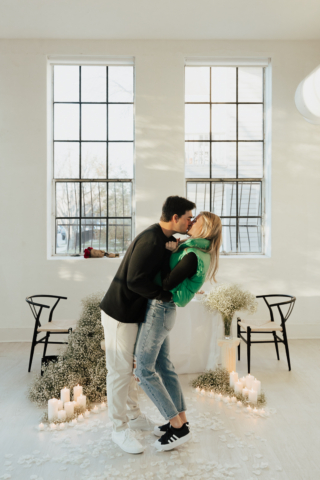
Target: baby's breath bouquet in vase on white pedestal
(228, 299)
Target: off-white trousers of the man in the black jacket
(122, 393)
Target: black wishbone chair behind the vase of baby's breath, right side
(269, 327)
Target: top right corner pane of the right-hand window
(250, 86)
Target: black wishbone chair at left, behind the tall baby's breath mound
(49, 328)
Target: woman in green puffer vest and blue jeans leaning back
(192, 262)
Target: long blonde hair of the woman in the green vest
(212, 230)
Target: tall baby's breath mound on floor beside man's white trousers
(81, 363)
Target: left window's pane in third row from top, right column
(120, 160)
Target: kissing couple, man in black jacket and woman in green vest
(157, 273)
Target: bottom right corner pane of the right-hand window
(250, 235)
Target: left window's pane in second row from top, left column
(66, 122)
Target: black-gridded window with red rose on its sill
(93, 157)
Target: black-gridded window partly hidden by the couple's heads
(224, 150)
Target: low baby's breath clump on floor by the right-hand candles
(218, 380)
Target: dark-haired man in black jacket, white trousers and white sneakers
(123, 308)
